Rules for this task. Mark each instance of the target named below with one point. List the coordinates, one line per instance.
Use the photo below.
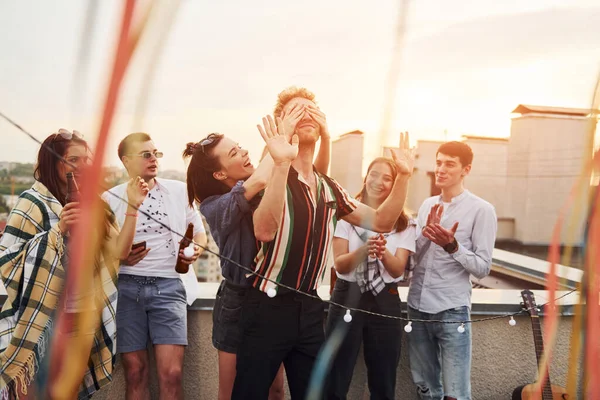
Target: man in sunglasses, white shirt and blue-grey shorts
(152, 295)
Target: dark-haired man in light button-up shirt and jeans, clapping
(456, 231)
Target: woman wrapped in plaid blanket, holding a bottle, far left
(33, 263)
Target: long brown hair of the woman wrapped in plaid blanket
(46, 171)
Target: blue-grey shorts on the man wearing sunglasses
(150, 307)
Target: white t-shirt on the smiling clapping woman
(403, 240)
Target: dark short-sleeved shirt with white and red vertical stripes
(301, 251)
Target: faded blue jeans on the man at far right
(439, 353)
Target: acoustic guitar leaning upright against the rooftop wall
(549, 391)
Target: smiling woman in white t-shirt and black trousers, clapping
(368, 267)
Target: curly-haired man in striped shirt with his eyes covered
(295, 222)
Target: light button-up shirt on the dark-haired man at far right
(442, 281)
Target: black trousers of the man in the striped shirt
(287, 328)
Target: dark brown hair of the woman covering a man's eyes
(200, 181)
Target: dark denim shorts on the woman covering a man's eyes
(227, 332)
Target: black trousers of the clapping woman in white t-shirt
(381, 338)
